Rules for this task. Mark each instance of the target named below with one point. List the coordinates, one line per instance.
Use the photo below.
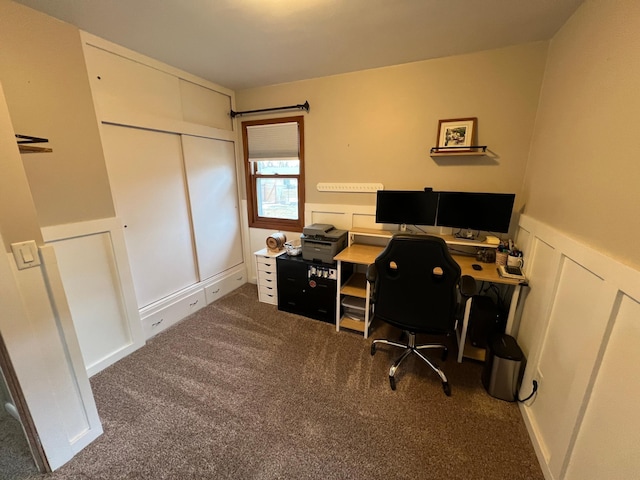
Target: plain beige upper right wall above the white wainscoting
(583, 173)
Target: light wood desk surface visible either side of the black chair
(366, 254)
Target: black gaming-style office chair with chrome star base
(417, 287)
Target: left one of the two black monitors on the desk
(406, 207)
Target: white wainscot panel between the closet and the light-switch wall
(93, 262)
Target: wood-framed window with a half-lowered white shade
(274, 166)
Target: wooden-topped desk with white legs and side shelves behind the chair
(357, 286)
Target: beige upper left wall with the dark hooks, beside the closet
(47, 90)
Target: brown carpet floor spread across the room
(241, 390)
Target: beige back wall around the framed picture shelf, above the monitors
(378, 125)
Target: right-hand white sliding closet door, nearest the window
(211, 177)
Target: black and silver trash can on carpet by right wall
(501, 373)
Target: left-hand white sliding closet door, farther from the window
(147, 182)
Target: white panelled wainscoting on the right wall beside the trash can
(581, 301)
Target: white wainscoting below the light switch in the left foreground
(40, 337)
